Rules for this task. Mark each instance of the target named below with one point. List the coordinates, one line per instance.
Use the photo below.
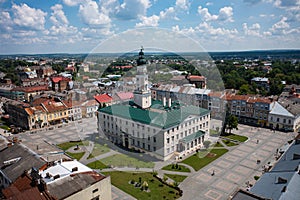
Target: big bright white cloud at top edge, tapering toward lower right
(91, 15)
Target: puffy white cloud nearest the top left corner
(25, 16)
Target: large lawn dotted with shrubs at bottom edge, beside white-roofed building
(157, 190)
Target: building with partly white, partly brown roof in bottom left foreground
(72, 180)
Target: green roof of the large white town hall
(159, 116)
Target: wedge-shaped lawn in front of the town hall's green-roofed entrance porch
(197, 162)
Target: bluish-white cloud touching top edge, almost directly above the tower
(132, 9)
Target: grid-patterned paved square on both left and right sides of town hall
(231, 171)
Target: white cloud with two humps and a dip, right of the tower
(225, 14)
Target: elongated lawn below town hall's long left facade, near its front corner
(121, 160)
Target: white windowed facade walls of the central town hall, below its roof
(159, 142)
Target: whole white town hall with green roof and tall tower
(163, 129)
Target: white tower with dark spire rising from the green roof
(142, 93)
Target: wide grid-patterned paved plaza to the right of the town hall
(236, 167)
